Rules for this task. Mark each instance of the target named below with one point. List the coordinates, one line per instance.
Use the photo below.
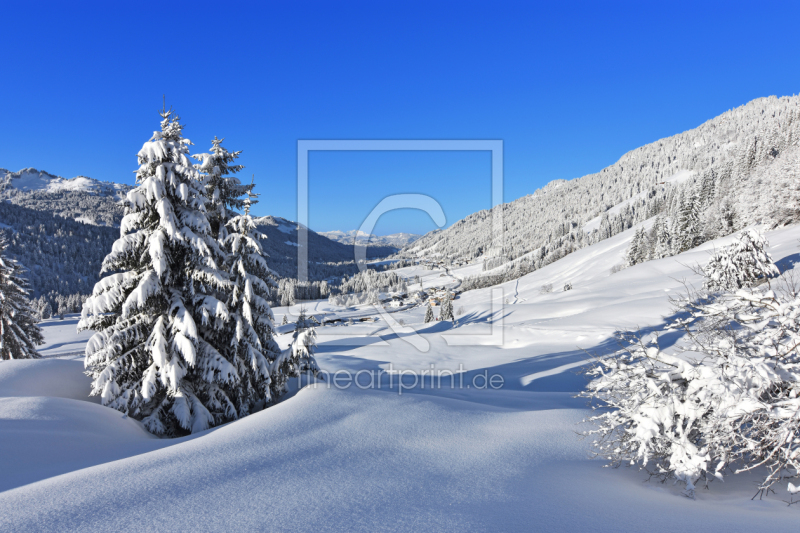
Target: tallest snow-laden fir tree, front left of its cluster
(158, 352)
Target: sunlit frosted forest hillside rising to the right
(709, 177)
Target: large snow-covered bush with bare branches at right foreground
(725, 400)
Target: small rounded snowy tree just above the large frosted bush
(741, 264)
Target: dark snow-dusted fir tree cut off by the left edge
(19, 334)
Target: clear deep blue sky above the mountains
(568, 87)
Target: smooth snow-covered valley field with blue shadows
(452, 454)
